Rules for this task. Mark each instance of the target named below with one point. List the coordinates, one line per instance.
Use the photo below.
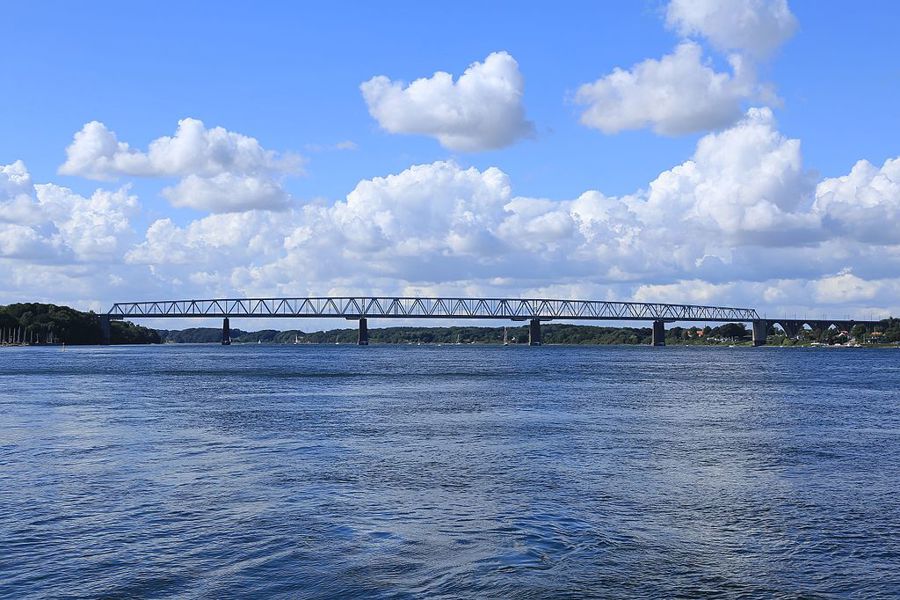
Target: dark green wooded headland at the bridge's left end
(33, 323)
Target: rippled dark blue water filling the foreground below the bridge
(460, 471)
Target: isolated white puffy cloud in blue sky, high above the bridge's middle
(481, 110)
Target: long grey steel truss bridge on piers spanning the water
(534, 310)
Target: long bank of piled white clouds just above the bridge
(742, 221)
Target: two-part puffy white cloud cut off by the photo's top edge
(682, 92)
